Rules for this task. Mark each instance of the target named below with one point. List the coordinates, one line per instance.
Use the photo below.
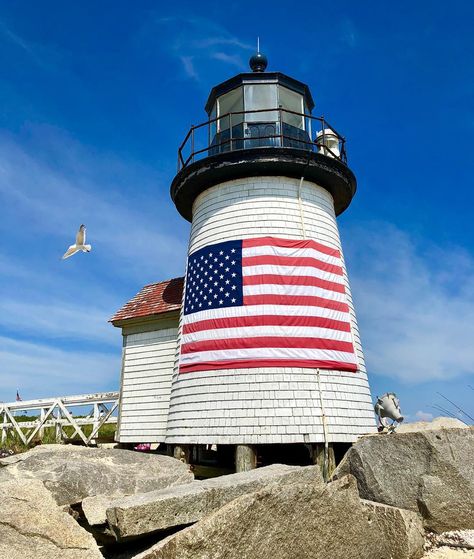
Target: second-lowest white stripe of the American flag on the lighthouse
(258, 331)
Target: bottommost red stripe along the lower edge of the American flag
(252, 363)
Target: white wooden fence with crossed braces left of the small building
(97, 410)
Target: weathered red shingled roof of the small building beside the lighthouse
(156, 298)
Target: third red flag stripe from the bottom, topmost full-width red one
(266, 320)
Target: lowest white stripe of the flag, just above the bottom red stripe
(268, 353)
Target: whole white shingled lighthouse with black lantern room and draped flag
(268, 347)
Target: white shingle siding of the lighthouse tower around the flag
(268, 405)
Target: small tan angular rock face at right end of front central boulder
(402, 529)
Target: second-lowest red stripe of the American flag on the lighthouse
(267, 341)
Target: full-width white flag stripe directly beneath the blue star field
(266, 310)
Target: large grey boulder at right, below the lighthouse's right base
(430, 472)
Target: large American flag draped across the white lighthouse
(266, 302)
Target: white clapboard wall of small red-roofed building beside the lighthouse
(147, 368)
